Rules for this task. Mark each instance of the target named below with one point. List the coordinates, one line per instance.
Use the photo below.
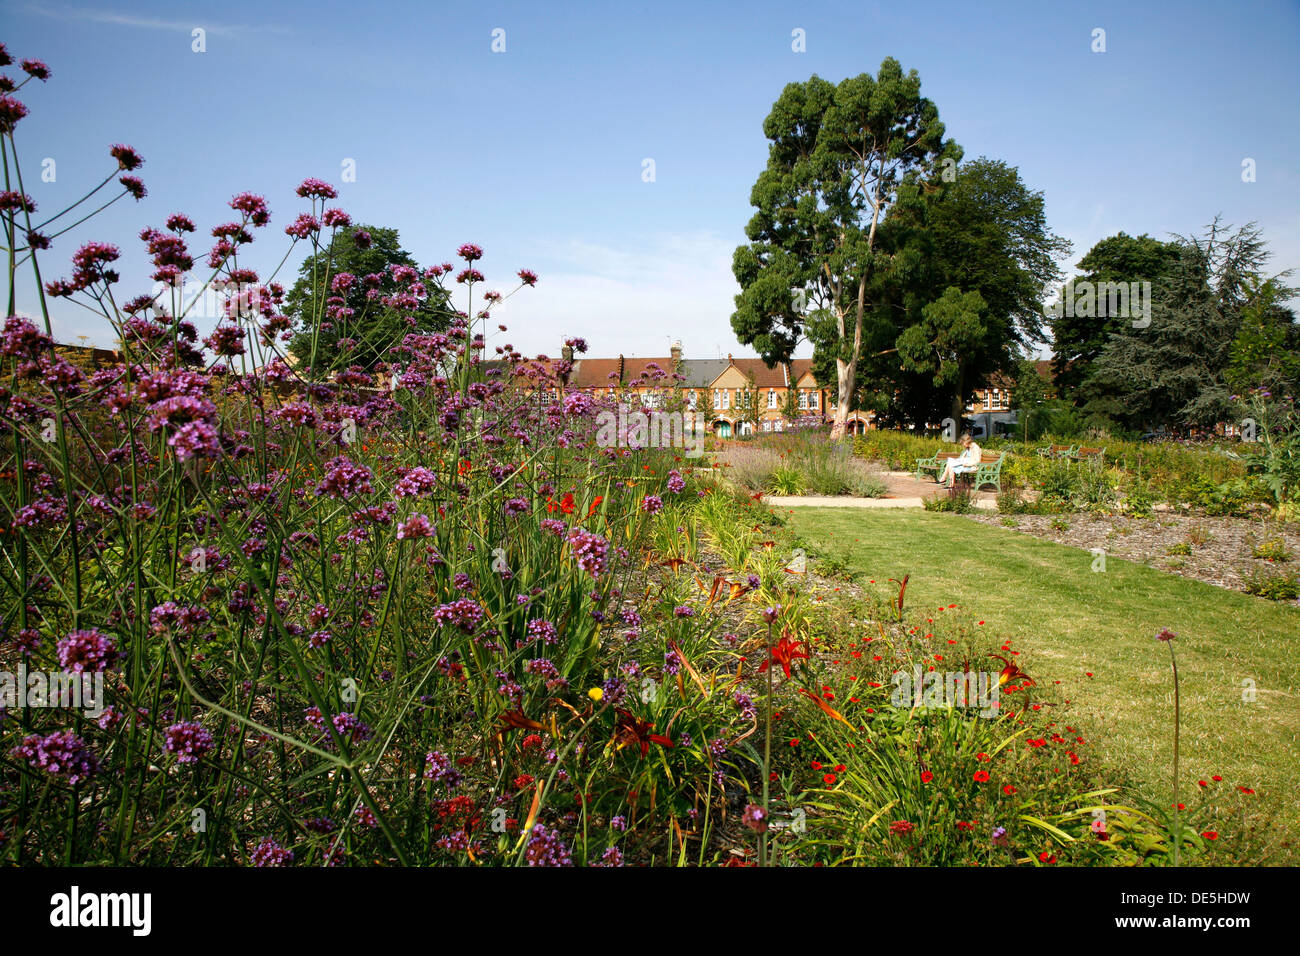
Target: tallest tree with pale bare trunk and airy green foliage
(837, 159)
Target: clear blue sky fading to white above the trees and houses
(536, 153)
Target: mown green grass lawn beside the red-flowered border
(1069, 621)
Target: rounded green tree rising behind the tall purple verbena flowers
(374, 328)
